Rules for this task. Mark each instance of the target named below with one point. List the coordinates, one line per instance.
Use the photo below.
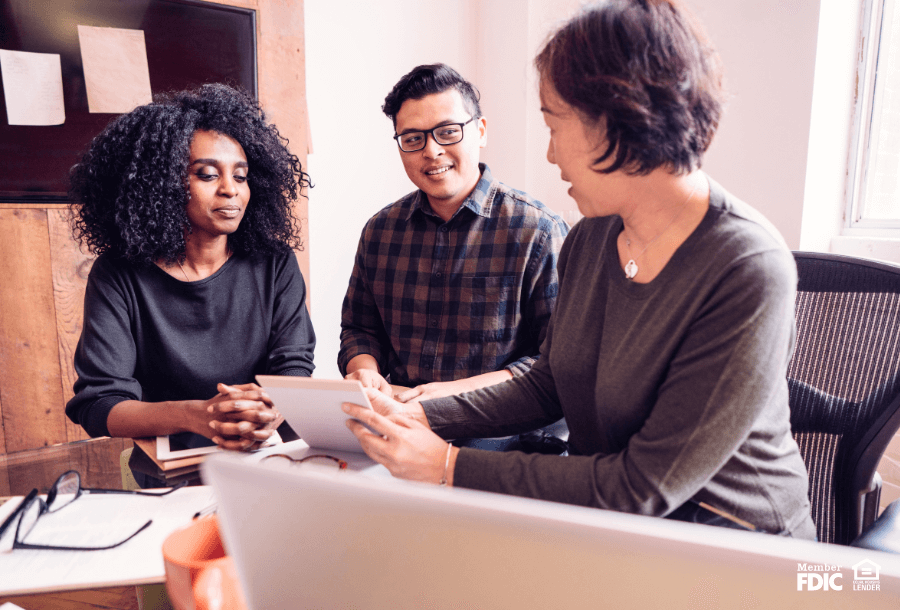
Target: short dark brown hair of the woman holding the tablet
(644, 70)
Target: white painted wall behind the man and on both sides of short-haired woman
(356, 51)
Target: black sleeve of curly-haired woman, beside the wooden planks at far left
(106, 355)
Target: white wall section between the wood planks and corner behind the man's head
(355, 51)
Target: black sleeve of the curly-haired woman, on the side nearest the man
(292, 340)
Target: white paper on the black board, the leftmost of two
(32, 88)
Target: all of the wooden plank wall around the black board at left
(43, 273)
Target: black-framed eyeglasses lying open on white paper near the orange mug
(64, 492)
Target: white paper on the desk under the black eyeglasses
(95, 519)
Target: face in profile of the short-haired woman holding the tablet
(574, 148)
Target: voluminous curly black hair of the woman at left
(129, 193)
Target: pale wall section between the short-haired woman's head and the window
(768, 48)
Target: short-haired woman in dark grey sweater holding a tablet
(668, 348)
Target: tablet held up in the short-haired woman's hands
(312, 407)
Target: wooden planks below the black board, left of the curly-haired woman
(44, 277)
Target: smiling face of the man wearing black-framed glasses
(447, 174)
